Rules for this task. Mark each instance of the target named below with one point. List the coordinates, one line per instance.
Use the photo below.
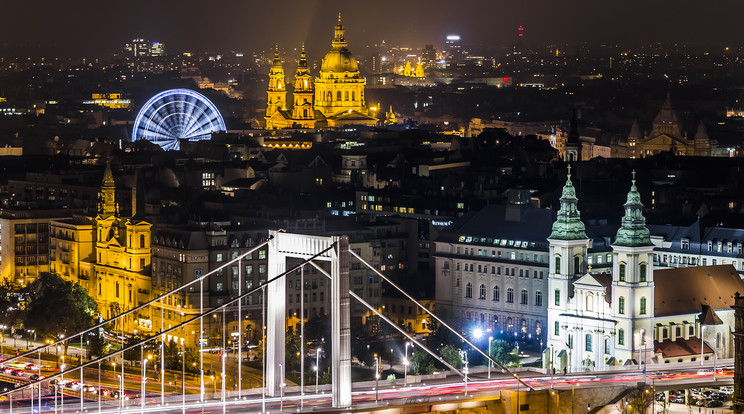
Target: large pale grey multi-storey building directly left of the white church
(492, 271)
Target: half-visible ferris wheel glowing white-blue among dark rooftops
(177, 114)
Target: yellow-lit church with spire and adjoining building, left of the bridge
(109, 255)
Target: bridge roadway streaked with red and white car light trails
(365, 396)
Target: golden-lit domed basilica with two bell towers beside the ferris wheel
(335, 99)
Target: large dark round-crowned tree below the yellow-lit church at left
(56, 308)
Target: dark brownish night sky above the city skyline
(98, 28)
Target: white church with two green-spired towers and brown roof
(635, 315)
